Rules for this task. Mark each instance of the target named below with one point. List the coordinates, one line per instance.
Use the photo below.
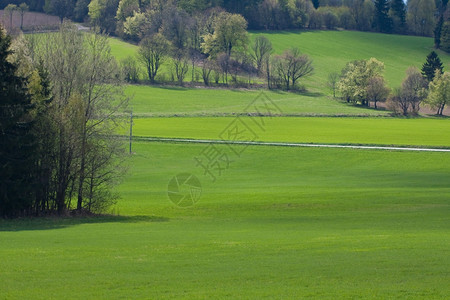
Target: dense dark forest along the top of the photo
(419, 17)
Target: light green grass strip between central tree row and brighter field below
(169, 101)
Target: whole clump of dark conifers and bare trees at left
(59, 98)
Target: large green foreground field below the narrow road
(279, 223)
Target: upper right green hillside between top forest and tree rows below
(331, 50)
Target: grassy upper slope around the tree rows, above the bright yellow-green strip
(330, 51)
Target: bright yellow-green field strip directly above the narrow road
(371, 131)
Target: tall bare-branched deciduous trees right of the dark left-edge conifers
(87, 96)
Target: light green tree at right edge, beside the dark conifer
(439, 92)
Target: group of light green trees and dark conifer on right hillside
(362, 82)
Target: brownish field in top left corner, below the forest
(31, 21)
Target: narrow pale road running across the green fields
(283, 144)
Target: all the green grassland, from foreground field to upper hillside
(277, 222)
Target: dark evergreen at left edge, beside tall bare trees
(17, 143)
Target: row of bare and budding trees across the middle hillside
(224, 53)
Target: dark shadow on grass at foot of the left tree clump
(50, 223)
